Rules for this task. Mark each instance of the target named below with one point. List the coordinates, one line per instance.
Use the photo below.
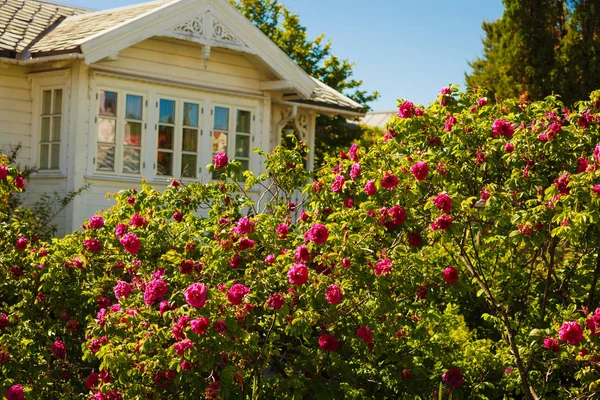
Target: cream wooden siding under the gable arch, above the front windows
(180, 61)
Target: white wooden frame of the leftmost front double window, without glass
(121, 121)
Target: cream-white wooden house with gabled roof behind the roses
(150, 91)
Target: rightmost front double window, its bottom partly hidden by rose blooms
(242, 130)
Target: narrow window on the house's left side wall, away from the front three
(51, 124)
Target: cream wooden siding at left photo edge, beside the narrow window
(15, 110)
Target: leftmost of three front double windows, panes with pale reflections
(119, 133)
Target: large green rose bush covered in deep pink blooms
(435, 263)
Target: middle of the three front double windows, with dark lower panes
(178, 138)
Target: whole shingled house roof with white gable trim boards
(32, 29)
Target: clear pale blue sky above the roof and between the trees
(402, 49)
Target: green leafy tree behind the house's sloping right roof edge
(315, 57)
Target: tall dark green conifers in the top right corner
(541, 47)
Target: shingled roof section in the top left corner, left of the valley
(24, 21)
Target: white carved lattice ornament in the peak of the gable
(208, 29)
